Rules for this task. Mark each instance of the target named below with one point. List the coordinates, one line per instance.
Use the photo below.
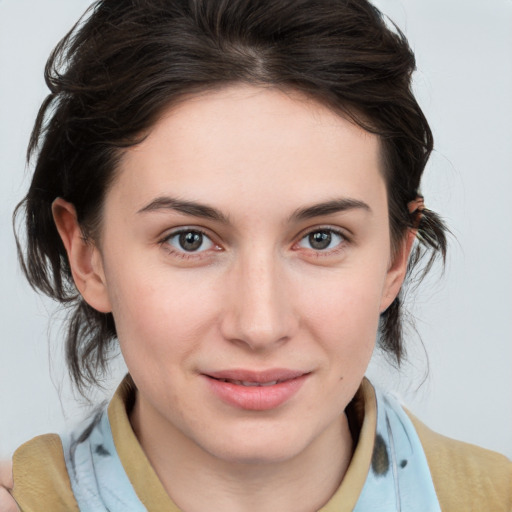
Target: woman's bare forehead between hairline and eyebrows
(243, 143)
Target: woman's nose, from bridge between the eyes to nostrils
(258, 312)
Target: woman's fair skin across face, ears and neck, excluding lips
(255, 295)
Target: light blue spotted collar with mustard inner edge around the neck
(109, 471)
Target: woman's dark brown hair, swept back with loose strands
(128, 60)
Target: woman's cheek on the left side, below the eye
(160, 314)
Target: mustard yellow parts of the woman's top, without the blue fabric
(466, 478)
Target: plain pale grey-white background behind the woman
(464, 84)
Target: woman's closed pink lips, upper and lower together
(276, 387)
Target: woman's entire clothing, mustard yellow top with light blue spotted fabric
(398, 465)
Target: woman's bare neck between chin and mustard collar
(197, 480)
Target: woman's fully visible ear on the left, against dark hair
(83, 255)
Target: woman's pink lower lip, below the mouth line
(256, 398)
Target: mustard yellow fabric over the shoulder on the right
(466, 477)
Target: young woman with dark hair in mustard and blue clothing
(231, 190)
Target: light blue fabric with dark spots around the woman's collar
(399, 479)
